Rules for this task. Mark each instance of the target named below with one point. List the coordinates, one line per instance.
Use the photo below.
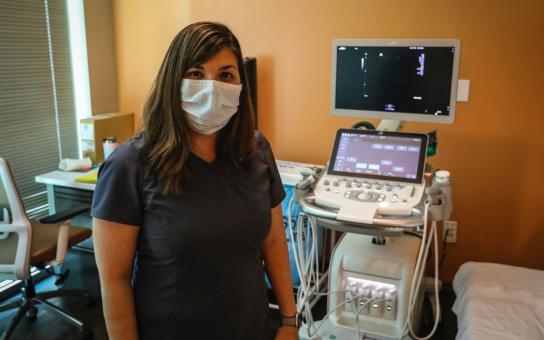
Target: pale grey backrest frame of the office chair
(15, 249)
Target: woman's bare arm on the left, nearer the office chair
(115, 247)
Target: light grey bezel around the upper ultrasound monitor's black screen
(401, 116)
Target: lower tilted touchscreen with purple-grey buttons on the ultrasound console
(380, 155)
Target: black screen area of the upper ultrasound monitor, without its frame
(408, 79)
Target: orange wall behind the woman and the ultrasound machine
(494, 149)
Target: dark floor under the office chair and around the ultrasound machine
(84, 274)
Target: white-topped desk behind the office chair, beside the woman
(63, 192)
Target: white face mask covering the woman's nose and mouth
(209, 104)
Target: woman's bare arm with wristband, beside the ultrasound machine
(276, 258)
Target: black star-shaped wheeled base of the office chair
(27, 306)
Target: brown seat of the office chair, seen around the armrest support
(44, 240)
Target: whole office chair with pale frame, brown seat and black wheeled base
(25, 243)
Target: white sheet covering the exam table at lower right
(497, 301)
